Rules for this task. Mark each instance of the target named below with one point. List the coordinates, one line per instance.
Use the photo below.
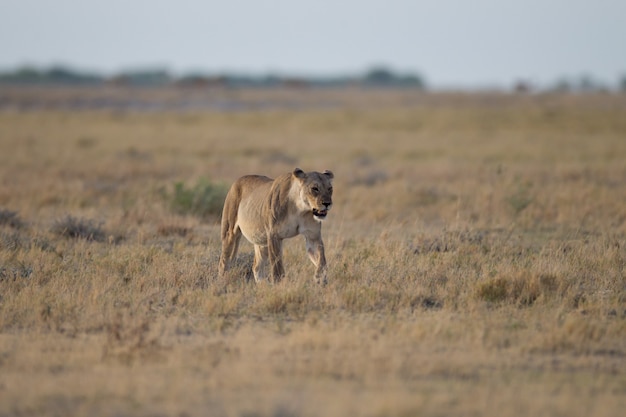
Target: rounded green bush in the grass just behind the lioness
(204, 200)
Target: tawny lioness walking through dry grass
(267, 211)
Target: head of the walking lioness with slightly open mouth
(316, 191)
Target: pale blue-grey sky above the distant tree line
(449, 42)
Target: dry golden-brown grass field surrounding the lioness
(476, 250)
